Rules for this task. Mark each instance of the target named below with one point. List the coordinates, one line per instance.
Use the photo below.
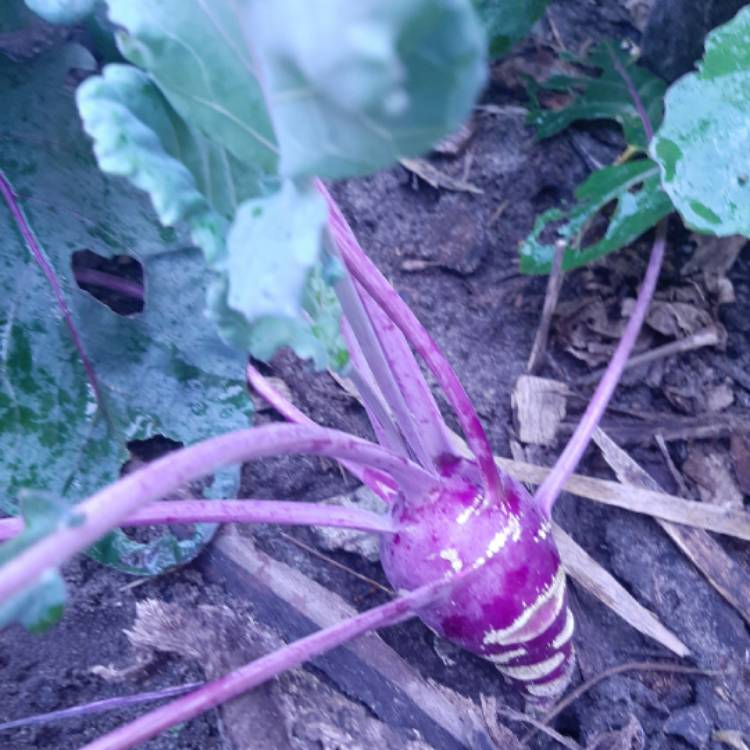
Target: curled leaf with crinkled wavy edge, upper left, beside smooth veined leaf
(189, 178)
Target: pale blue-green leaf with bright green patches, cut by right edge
(703, 146)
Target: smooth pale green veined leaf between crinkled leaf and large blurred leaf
(195, 52)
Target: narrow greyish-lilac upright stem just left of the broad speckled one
(362, 327)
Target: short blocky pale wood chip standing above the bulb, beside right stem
(539, 405)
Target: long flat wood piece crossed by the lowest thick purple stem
(365, 668)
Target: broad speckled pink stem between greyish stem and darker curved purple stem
(411, 382)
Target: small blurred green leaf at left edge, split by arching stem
(40, 606)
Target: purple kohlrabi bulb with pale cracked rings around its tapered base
(514, 611)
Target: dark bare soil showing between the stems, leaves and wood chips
(484, 314)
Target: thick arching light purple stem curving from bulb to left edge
(110, 506)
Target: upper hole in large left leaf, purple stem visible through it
(116, 282)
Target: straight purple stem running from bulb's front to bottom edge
(259, 671)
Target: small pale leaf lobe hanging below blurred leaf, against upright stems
(276, 290)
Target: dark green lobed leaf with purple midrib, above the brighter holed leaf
(602, 97)
